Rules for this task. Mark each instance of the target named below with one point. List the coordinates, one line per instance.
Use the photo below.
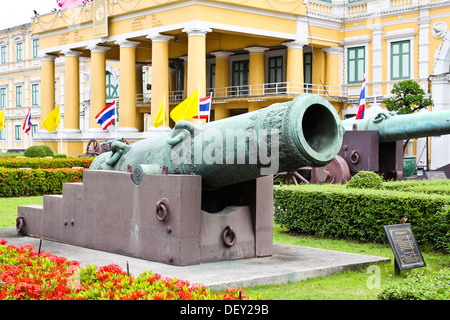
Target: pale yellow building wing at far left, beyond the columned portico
(20, 70)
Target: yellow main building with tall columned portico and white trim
(248, 54)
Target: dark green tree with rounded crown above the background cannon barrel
(409, 98)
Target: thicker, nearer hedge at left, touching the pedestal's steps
(24, 182)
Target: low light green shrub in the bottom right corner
(420, 286)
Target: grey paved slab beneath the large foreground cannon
(287, 264)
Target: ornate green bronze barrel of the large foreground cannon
(306, 131)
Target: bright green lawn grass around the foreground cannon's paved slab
(347, 285)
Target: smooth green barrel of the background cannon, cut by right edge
(403, 127)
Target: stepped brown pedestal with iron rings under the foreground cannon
(109, 212)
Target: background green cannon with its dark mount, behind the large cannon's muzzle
(376, 144)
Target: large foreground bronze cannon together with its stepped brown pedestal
(215, 202)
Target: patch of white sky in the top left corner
(17, 12)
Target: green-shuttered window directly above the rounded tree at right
(400, 60)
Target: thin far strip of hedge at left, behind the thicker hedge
(45, 163)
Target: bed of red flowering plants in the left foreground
(25, 274)
